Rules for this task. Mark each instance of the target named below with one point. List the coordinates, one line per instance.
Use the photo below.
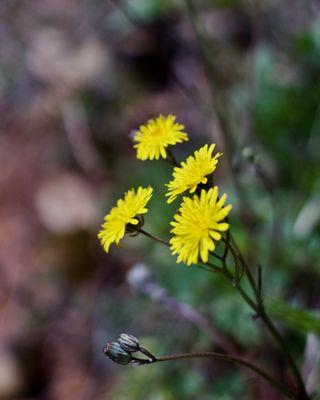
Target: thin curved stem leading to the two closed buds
(218, 356)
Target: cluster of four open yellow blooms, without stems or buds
(200, 220)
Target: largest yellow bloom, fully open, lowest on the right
(198, 225)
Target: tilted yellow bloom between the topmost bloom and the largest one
(192, 172)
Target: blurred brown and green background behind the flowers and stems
(76, 78)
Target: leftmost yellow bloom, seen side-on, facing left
(123, 214)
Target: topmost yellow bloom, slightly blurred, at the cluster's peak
(157, 134)
